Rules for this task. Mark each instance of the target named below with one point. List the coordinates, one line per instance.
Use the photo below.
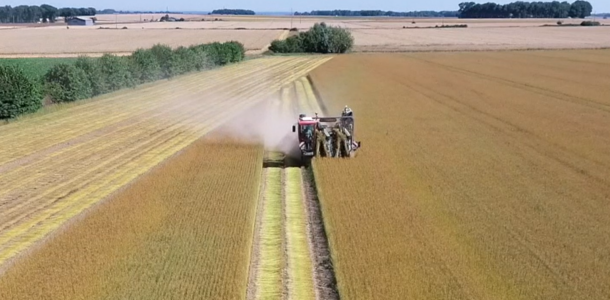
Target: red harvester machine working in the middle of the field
(327, 136)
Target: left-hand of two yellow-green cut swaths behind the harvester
(269, 277)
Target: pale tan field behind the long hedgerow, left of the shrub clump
(29, 41)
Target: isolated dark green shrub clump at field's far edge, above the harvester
(318, 39)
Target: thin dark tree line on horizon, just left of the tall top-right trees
(379, 13)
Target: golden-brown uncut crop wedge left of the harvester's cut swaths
(182, 231)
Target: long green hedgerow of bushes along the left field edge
(88, 77)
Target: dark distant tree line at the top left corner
(45, 13)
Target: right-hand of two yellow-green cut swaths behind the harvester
(300, 267)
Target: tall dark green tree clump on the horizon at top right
(520, 9)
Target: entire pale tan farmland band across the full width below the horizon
(257, 32)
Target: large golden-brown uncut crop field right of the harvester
(482, 175)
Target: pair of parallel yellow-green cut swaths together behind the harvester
(283, 264)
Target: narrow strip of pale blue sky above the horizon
(274, 5)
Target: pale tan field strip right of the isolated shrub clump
(482, 38)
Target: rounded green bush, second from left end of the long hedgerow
(67, 83)
